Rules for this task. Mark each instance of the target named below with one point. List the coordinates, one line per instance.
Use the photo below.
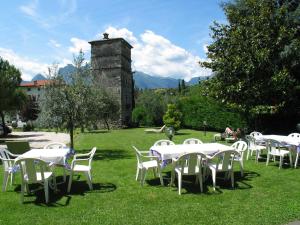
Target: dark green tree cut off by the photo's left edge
(10, 97)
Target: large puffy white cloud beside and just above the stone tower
(156, 55)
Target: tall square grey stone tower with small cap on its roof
(111, 65)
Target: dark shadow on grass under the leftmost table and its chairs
(61, 197)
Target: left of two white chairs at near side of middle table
(188, 164)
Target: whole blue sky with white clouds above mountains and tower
(168, 36)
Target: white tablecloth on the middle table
(171, 151)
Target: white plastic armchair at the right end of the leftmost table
(85, 168)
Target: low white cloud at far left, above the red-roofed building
(28, 67)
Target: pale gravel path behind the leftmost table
(38, 139)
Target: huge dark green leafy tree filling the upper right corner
(256, 56)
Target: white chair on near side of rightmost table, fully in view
(275, 148)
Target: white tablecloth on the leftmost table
(55, 156)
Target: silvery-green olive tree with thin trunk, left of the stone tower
(74, 103)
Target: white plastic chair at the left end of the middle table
(152, 162)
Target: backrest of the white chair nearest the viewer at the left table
(29, 168)
